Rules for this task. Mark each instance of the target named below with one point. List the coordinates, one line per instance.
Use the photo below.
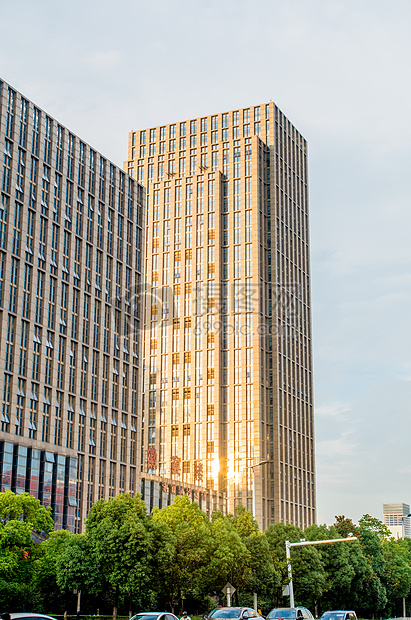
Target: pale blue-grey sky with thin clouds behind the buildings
(339, 69)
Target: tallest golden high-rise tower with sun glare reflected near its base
(228, 402)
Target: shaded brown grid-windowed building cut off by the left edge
(71, 226)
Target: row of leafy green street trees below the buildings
(177, 556)
